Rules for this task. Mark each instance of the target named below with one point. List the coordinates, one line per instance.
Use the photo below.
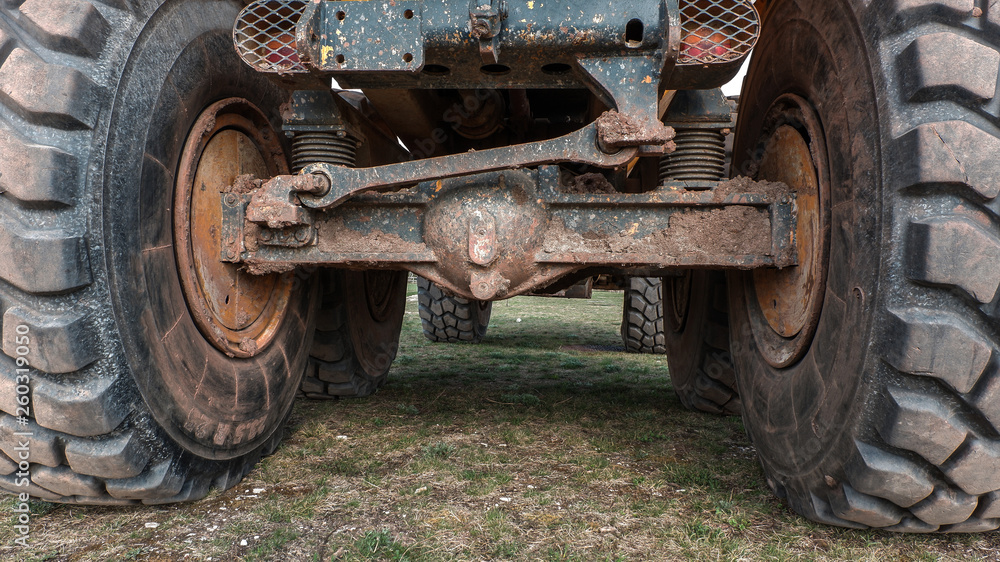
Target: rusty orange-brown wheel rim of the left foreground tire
(237, 312)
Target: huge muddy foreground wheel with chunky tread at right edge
(869, 373)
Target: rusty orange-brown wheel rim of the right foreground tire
(789, 301)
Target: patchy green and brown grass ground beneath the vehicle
(530, 446)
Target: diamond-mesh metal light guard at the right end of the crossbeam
(717, 31)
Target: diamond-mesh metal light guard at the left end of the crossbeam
(265, 35)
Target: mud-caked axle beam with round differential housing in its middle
(500, 234)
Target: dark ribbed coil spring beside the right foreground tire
(700, 155)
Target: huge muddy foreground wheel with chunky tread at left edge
(149, 381)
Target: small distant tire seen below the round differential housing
(450, 319)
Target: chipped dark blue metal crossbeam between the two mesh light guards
(472, 43)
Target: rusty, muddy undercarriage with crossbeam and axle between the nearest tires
(559, 151)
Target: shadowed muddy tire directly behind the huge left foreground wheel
(357, 334)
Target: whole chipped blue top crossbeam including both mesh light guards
(494, 43)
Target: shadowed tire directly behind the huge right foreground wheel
(696, 329)
